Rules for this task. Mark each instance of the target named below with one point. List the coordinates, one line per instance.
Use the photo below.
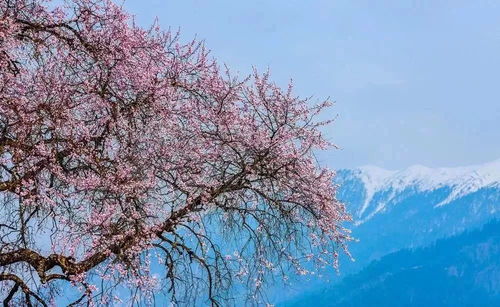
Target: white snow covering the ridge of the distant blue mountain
(389, 184)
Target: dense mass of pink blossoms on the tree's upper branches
(122, 133)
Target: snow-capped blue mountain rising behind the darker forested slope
(416, 206)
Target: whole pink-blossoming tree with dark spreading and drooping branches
(130, 160)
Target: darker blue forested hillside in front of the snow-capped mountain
(463, 270)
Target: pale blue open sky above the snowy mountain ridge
(415, 82)
